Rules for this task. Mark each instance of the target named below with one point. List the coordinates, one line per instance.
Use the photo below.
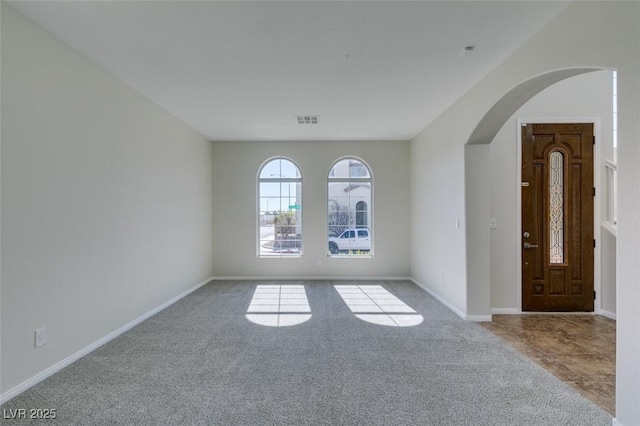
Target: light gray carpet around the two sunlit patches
(201, 362)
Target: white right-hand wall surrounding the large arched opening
(597, 35)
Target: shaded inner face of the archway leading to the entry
(478, 178)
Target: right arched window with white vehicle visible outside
(349, 192)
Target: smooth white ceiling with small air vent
(244, 70)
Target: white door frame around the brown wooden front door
(597, 207)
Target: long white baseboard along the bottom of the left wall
(11, 393)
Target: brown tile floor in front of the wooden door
(578, 349)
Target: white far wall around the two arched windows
(236, 165)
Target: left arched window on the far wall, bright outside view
(279, 209)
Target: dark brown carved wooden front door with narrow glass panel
(557, 217)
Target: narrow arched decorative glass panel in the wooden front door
(556, 207)
